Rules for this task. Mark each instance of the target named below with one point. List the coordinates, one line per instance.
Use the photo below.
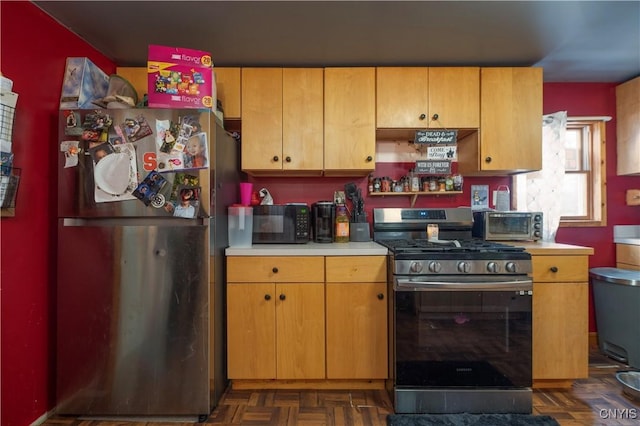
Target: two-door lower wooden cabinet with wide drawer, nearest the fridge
(275, 328)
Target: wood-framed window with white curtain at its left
(571, 184)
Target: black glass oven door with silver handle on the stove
(454, 332)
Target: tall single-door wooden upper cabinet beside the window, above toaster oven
(510, 136)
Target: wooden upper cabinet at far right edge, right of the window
(628, 127)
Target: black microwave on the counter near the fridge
(281, 224)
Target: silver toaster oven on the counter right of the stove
(507, 225)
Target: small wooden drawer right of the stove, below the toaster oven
(560, 268)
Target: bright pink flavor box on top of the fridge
(180, 78)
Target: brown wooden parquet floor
(597, 400)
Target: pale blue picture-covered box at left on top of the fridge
(83, 83)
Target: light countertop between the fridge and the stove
(369, 248)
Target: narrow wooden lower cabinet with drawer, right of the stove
(560, 320)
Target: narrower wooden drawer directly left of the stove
(346, 269)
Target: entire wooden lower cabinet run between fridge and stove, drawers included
(281, 328)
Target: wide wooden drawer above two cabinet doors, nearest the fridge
(292, 269)
